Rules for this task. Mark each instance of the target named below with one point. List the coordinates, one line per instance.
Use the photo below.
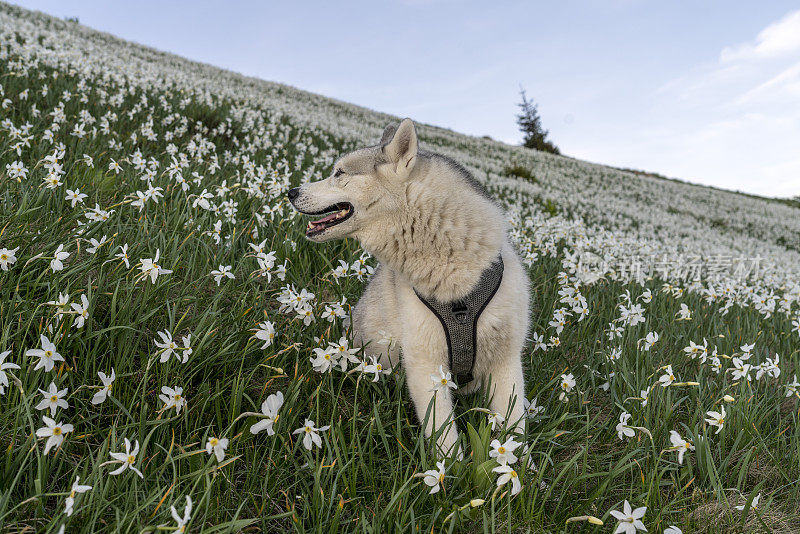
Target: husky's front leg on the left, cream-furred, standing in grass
(419, 366)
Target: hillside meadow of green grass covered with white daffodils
(174, 356)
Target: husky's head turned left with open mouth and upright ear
(365, 187)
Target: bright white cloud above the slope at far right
(734, 122)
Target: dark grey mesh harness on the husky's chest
(460, 320)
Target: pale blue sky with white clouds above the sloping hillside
(707, 91)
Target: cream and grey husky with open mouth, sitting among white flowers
(434, 230)
